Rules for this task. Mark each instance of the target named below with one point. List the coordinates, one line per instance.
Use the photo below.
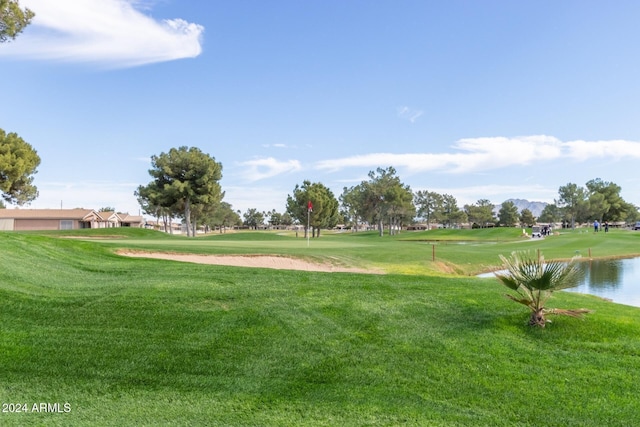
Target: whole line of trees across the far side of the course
(186, 186)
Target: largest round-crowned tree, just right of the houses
(184, 177)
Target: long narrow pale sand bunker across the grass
(260, 261)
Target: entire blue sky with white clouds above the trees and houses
(477, 99)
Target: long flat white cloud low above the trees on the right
(483, 154)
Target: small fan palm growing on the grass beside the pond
(535, 280)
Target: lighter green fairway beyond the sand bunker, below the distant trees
(462, 252)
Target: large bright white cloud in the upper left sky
(111, 33)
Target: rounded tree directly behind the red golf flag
(324, 212)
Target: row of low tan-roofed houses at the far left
(64, 219)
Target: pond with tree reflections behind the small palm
(617, 280)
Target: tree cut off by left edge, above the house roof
(18, 164)
